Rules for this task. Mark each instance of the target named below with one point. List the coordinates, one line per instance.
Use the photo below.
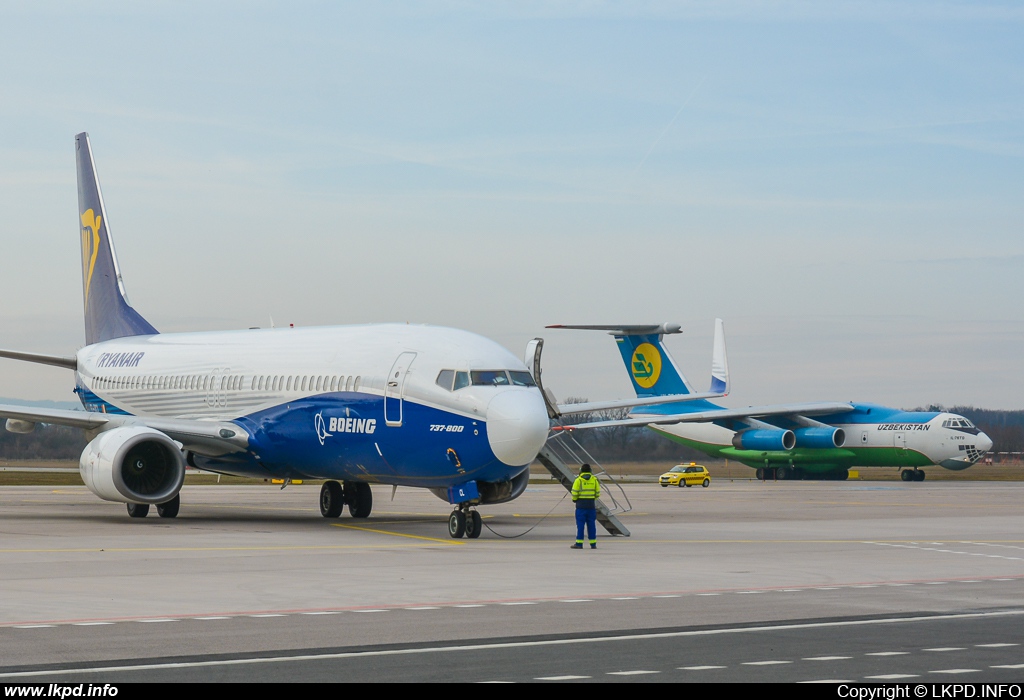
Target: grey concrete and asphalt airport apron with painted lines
(740, 582)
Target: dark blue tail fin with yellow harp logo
(108, 314)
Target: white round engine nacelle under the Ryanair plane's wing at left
(134, 465)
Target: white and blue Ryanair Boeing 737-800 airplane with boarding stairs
(407, 406)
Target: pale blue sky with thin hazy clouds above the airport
(842, 183)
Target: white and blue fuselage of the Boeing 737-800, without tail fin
(371, 404)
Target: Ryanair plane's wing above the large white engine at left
(211, 439)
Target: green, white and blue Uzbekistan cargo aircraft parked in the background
(791, 442)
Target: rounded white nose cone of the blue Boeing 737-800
(518, 426)
